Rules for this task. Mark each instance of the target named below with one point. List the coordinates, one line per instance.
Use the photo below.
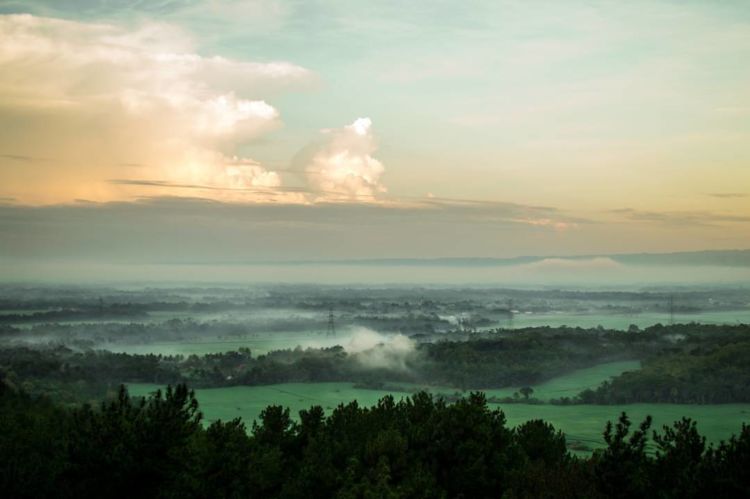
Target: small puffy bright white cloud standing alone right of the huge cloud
(342, 166)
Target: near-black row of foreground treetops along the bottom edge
(419, 447)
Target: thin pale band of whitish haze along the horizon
(553, 272)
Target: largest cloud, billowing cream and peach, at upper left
(146, 96)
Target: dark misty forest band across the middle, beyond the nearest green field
(688, 363)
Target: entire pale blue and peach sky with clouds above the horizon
(235, 130)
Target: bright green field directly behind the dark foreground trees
(581, 423)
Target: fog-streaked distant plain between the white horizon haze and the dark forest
(201, 319)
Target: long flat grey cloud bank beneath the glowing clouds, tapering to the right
(185, 230)
